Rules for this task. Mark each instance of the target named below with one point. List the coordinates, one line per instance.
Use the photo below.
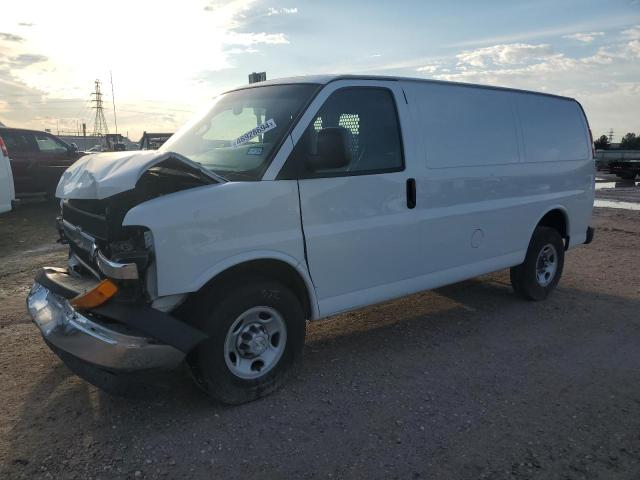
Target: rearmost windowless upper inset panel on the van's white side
(553, 129)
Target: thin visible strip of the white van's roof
(325, 79)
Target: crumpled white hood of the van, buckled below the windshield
(102, 175)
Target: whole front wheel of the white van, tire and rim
(256, 334)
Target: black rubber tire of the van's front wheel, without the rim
(208, 364)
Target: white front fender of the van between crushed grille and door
(201, 232)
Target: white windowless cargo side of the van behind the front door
(479, 197)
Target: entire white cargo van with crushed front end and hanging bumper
(296, 199)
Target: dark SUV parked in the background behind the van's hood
(38, 159)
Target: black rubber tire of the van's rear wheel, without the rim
(524, 277)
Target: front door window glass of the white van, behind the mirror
(370, 116)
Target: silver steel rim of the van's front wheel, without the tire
(255, 342)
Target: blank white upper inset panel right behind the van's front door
(465, 126)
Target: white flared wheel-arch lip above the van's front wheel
(270, 265)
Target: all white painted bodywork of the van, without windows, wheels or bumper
(488, 165)
